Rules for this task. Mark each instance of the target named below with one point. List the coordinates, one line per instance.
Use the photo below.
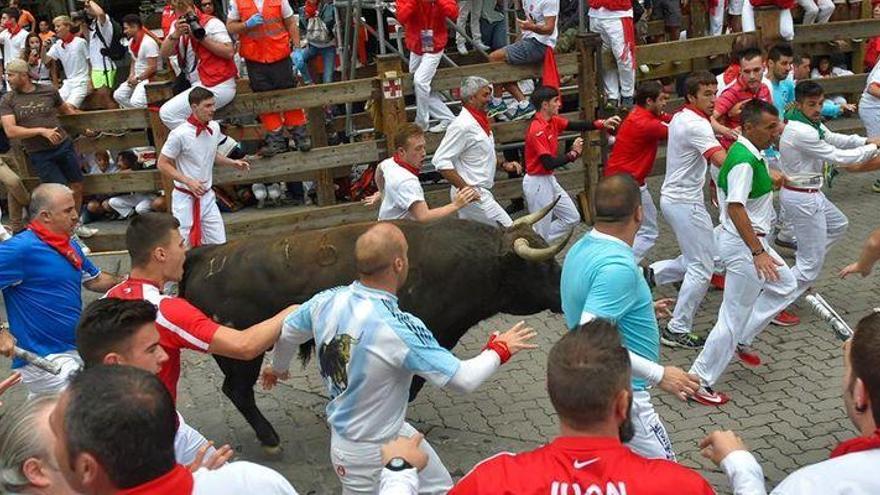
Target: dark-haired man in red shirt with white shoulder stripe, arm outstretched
(157, 253)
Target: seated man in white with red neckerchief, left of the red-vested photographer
(144, 50)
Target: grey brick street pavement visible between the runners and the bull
(789, 410)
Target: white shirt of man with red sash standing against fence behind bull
(194, 156)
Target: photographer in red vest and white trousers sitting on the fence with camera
(215, 69)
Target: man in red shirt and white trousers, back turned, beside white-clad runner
(635, 150)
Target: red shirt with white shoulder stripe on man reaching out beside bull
(181, 325)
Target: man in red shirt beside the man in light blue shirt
(749, 85)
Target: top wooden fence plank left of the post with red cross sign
(317, 95)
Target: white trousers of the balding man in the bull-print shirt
(359, 465)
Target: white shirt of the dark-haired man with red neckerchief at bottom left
(240, 477)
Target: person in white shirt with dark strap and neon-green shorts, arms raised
(100, 37)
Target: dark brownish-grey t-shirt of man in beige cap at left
(39, 108)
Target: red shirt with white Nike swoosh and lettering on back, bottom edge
(580, 465)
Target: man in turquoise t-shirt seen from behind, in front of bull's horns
(600, 279)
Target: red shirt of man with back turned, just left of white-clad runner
(635, 147)
